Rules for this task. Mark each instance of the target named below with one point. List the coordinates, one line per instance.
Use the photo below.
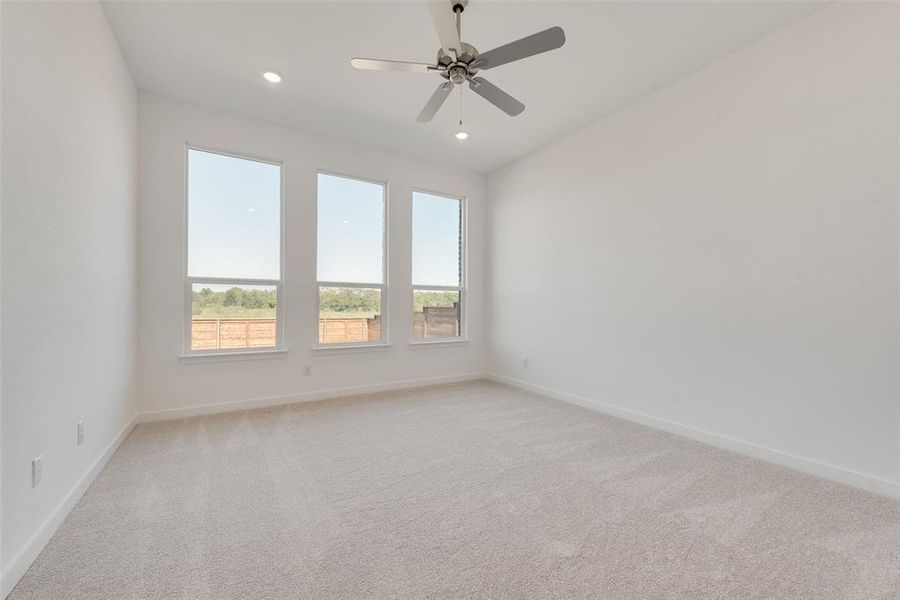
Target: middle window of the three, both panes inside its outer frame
(351, 259)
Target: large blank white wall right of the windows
(722, 254)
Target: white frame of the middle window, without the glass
(385, 269)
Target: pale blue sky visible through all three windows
(233, 220)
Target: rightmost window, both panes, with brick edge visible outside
(438, 266)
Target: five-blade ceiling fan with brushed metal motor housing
(459, 62)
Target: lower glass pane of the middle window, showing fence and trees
(349, 315)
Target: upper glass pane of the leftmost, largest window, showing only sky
(234, 217)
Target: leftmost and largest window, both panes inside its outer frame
(233, 285)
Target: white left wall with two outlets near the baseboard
(68, 259)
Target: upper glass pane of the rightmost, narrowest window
(437, 240)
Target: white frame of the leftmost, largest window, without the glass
(189, 281)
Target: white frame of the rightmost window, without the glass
(463, 336)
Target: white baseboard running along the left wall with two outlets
(26, 555)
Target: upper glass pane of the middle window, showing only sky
(350, 230)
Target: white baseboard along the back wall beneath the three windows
(223, 407)
